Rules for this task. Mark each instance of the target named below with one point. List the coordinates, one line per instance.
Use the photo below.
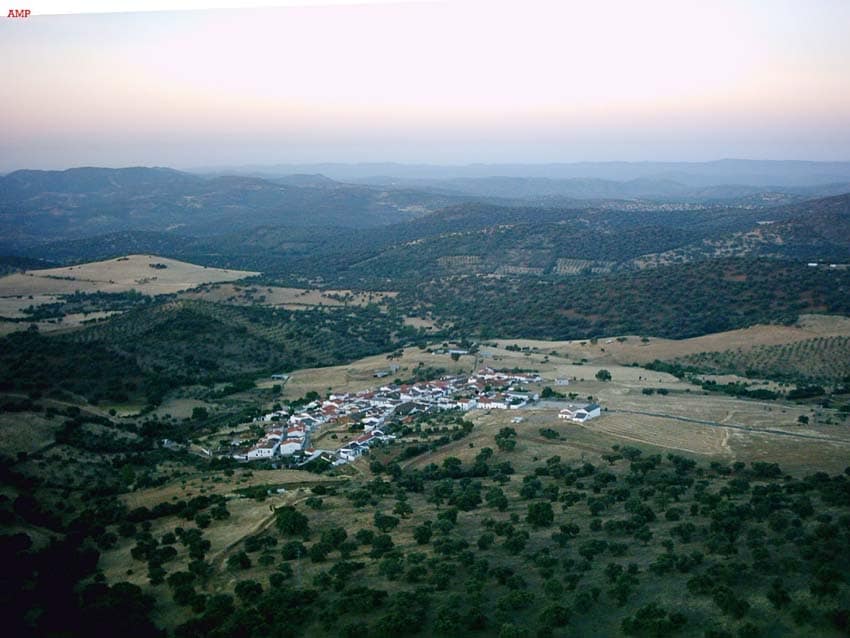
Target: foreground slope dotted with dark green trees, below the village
(474, 548)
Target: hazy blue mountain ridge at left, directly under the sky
(42, 205)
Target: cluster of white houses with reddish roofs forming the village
(377, 412)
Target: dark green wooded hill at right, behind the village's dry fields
(675, 301)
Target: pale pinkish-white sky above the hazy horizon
(449, 82)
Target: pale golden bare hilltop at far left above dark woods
(134, 272)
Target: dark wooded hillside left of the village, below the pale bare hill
(150, 350)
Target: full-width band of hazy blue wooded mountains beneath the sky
(308, 225)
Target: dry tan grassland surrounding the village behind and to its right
(686, 419)
